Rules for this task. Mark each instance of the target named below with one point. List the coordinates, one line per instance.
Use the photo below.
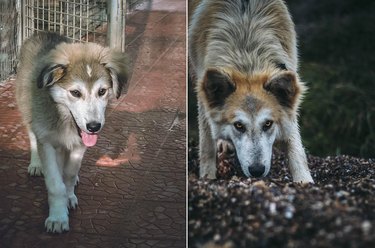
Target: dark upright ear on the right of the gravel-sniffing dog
(284, 87)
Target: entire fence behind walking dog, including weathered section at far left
(100, 21)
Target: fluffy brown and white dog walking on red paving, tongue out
(62, 90)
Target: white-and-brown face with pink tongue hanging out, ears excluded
(85, 92)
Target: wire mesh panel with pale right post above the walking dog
(98, 21)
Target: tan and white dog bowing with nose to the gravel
(243, 57)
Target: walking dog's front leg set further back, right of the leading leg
(71, 169)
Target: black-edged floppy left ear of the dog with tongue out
(50, 75)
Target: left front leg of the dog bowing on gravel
(207, 148)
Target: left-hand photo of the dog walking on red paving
(93, 123)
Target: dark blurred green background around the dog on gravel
(336, 41)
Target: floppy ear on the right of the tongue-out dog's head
(116, 64)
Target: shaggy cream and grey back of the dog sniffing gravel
(243, 35)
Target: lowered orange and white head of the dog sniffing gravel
(251, 112)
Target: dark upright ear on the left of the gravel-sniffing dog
(217, 86)
